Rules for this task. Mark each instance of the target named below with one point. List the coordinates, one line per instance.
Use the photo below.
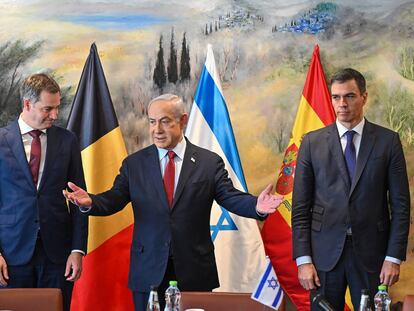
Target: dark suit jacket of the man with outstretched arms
(182, 231)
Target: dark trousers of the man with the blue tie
(348, 272)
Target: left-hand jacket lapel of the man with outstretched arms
(154, 171)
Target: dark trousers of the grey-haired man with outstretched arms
(141, 299)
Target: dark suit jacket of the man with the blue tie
(376, 205)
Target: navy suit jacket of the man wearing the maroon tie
(24, 209)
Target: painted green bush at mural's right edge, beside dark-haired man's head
(398, 112)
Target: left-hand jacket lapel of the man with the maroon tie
(14, 140)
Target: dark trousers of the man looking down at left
(40, 272)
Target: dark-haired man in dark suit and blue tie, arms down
(351, 201)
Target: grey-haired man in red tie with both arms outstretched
(171, 239)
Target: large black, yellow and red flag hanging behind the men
(103, 285)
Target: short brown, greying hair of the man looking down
(33, 85)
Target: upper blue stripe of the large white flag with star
(213, 107)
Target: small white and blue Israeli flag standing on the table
(268, 290)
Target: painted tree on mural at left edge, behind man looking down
(13, 57)
